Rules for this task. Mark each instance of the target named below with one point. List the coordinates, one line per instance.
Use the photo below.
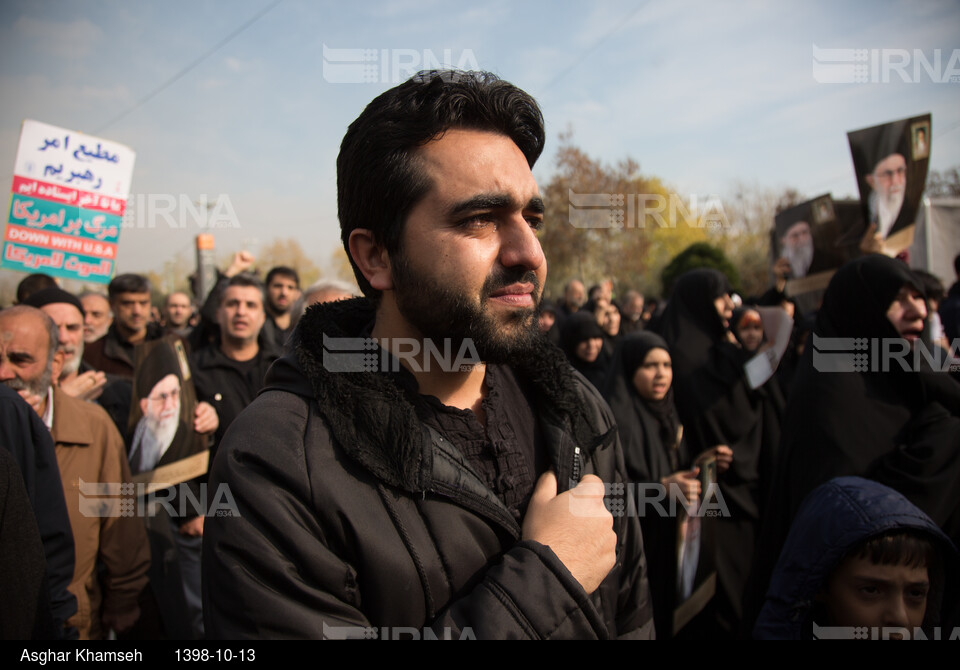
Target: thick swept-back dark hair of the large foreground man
(380, 176)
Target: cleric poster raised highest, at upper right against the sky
(891, 164)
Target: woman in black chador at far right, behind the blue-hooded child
(900, 427)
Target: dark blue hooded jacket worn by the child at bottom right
(832, 520)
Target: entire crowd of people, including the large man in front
(606, 465)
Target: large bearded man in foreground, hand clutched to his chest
(387, 482)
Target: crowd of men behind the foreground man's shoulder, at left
(73, 359)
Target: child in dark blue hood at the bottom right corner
(861, 561)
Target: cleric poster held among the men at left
(164, 449)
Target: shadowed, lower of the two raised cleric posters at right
(809, 237)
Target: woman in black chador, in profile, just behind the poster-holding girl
(718, 407)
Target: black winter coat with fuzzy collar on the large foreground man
(357, 520)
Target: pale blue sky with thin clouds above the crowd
(701, 94)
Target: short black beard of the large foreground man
(441, 312)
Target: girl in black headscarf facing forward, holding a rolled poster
(640, 393)
